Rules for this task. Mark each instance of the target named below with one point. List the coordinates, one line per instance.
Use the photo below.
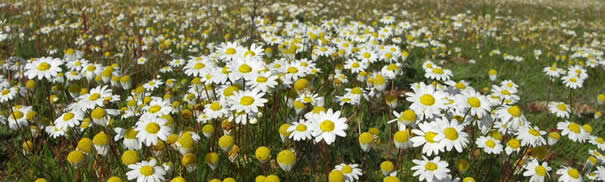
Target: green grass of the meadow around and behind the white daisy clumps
(520, 28)
